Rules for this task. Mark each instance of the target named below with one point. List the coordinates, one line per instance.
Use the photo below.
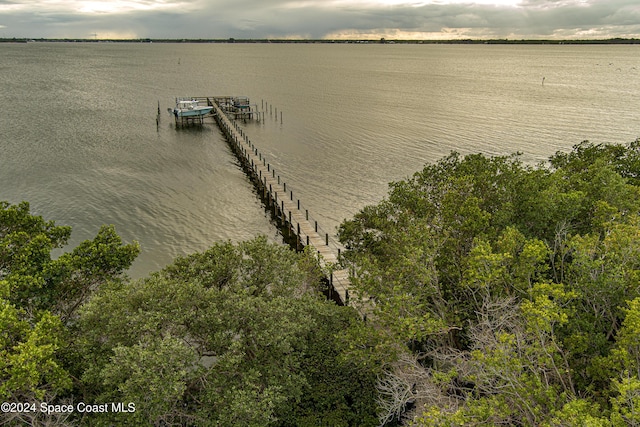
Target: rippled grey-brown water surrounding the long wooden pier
(79, 139)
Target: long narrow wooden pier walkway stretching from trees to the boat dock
(300, 227)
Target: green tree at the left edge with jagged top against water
(33, 311)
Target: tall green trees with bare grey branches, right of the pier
(522, 275)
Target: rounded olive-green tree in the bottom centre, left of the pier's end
(236, 335)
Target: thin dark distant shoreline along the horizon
(323, 41)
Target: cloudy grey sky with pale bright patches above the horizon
(321, 19)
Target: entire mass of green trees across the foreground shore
(495, 293)
